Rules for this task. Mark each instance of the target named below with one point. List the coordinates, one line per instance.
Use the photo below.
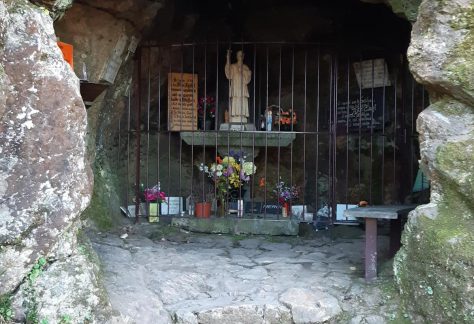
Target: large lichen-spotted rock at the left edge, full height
(45, 179)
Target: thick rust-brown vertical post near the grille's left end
(137, 134)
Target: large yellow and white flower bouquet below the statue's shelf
(229, 174)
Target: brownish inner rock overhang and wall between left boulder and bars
(96, 49)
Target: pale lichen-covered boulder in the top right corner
(440, 51)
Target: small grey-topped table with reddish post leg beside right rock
(371, 214)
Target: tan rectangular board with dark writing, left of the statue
(182, 101)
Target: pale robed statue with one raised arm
(239, 76)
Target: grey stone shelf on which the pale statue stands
(247, 142)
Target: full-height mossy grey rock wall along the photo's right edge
(435, 267)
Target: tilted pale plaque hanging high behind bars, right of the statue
(372, 73)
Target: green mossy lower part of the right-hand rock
(434, 269)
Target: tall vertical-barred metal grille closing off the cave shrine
(354, 139)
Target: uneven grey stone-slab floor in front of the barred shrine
(158, 274)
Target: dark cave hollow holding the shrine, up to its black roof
(337, 81)
